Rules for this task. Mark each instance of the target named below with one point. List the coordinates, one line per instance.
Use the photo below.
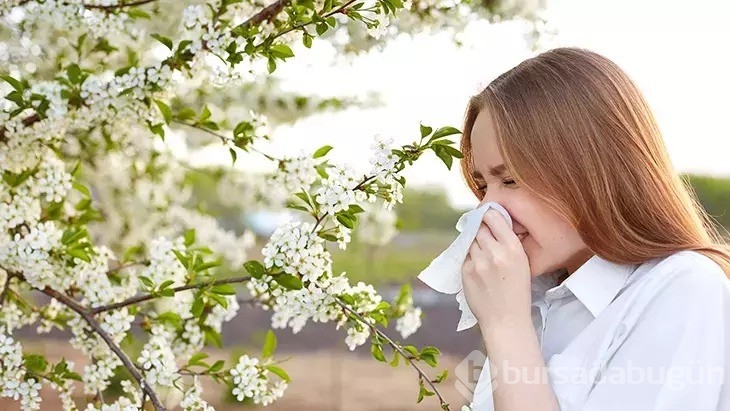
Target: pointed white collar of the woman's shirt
(595, 283)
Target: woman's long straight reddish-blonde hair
(575, 131)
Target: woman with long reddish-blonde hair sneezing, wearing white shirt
(611, 290)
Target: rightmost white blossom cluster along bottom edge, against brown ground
(250, 380)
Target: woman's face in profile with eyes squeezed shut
(551, 243)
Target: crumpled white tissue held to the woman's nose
(443, 274)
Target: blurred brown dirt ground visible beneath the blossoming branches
(324, 380)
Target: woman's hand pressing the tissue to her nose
(496, 274)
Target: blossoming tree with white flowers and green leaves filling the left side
(97, 211)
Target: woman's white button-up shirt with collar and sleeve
(660, 331)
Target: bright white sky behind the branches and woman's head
(676, 53)
